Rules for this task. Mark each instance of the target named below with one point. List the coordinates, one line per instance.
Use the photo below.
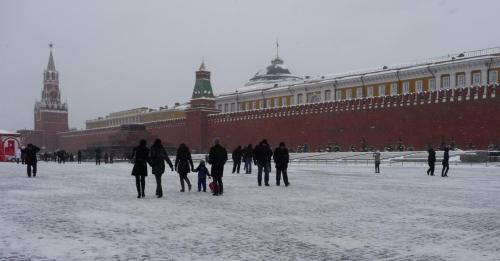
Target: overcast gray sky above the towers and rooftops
(115, 55)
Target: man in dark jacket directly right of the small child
(217, 158)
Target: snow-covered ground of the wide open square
(337, 212)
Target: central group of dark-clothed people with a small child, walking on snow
(157, 157)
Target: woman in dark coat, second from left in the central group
(157, 159)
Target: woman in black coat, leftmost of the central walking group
(140, 170)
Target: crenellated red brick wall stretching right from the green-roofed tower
(464, 119)
